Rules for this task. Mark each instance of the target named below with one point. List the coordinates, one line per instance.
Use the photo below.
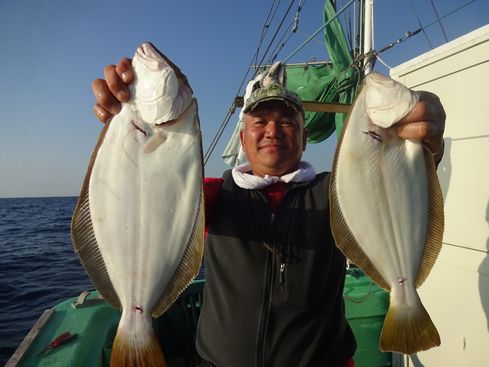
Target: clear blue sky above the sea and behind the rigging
(53, 49)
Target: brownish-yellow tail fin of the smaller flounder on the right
(408, 329)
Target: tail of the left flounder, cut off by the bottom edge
(136, 348)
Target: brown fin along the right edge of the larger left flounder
(189, 265)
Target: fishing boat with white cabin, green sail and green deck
(460, 277)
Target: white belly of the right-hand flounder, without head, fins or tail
(381, 186)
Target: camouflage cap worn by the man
(272, 87)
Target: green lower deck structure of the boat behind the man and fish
(96, 324)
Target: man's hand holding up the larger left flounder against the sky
(109, 93)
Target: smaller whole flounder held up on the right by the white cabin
(387, 208)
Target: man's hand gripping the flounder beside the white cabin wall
(426, 123)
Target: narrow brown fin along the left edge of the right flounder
(345, 240)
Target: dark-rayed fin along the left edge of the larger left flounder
(84, 241)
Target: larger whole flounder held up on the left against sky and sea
(138, 223)
